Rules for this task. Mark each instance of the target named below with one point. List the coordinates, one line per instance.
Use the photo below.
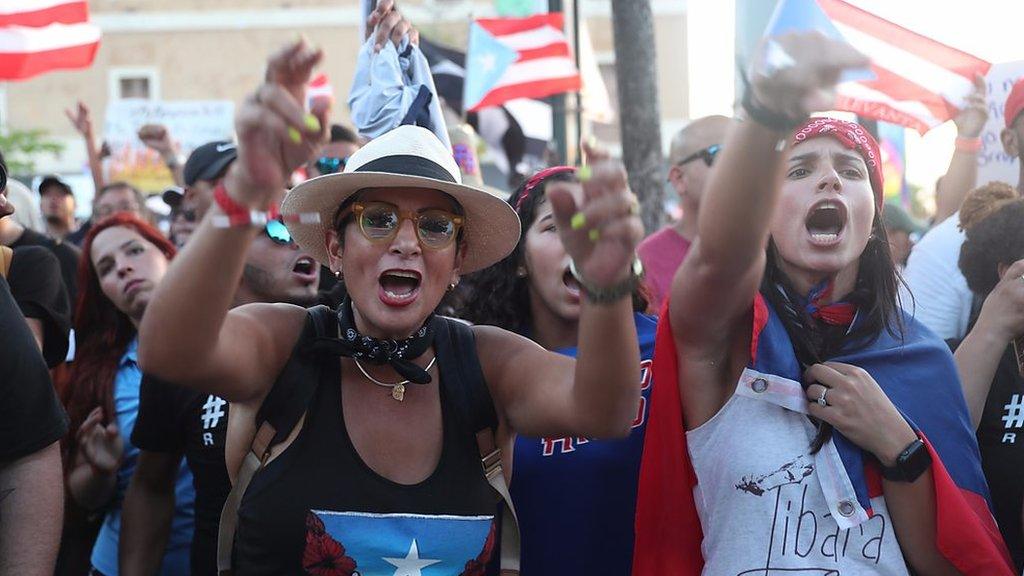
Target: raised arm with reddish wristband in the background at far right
(962, 176)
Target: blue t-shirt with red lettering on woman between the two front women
(576, 499)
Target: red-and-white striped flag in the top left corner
(37, 36)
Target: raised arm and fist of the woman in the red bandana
(713, 291)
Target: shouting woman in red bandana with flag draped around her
(816, 428)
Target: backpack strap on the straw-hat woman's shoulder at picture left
(277, 419)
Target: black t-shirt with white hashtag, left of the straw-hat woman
(180, 421)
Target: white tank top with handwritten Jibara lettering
(769, 507)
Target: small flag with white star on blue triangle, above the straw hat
(519, 59)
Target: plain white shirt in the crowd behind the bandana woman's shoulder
(942, 299)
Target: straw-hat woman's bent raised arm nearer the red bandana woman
(541, 393)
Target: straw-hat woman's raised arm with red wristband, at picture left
(188, 336)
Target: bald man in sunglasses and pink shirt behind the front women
(691, 159)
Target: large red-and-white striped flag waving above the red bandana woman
(918, 83)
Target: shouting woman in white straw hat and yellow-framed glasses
(381, 473)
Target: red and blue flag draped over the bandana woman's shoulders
(668, 529)
